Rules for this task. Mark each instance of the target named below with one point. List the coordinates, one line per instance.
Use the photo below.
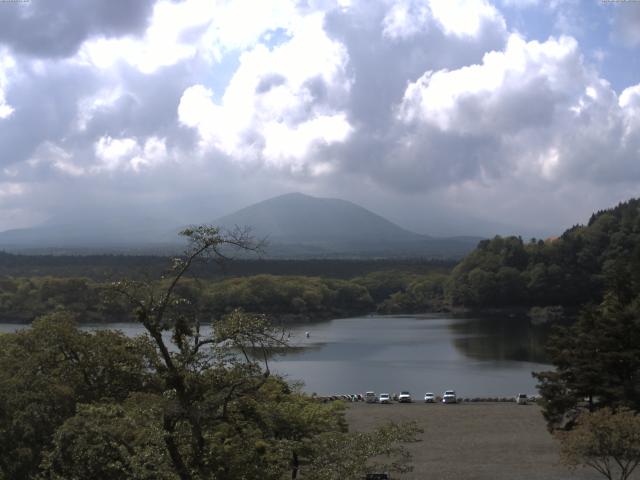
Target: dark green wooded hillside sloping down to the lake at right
(571, 270)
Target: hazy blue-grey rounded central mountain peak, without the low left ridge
(297, 225)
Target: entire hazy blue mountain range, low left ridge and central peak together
(295, 226)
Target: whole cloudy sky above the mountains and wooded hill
(446, 116)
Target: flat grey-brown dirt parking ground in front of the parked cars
(474, 441)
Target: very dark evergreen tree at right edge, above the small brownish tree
(597, 359)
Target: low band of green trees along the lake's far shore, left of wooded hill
(282, 297)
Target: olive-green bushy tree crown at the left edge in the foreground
(45, 372)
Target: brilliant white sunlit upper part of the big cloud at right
(438, 97)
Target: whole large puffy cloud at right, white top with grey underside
(534, 111)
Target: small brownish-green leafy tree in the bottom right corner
(607, 441)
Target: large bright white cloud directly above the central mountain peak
(280, 103)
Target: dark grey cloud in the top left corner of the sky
(57, 29)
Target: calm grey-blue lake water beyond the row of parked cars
(475, 357)
